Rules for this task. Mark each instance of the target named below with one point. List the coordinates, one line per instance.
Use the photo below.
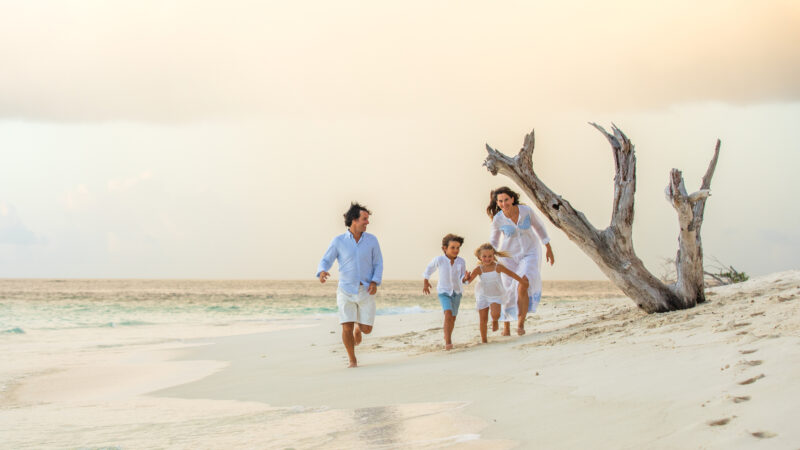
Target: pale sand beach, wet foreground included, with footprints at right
(589, 374)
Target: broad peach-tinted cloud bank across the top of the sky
(161, 62)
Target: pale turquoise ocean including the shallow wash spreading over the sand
(57, 328)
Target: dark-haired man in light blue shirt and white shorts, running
(360, 272)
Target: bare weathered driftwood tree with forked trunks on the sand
(612, 248)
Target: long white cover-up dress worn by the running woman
(523, 240)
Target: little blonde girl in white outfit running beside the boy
(490, 292)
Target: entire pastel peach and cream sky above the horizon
(210, 139)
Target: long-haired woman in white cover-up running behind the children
(523, 234)
